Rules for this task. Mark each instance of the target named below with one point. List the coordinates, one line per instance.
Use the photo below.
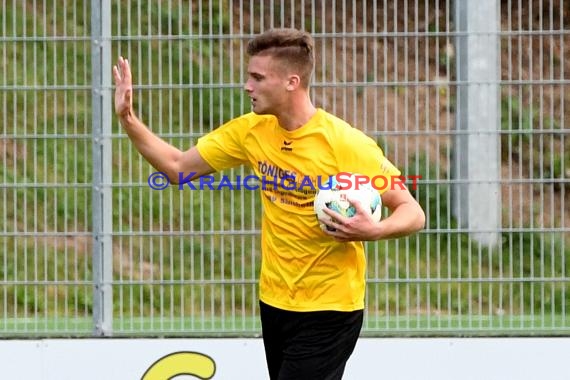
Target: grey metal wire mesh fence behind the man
(471, 96)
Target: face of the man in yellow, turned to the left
(266, 85)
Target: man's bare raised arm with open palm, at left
(161, 155)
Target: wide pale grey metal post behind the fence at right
(477, 197)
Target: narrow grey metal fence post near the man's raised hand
(102, 204)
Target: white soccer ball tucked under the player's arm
(335, 193)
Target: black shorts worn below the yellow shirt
(308, 345)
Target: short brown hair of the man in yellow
(291, 46)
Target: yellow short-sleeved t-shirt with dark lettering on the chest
(302, 268)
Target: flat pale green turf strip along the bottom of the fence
(200, 326)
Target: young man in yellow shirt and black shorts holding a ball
(312, 282)
